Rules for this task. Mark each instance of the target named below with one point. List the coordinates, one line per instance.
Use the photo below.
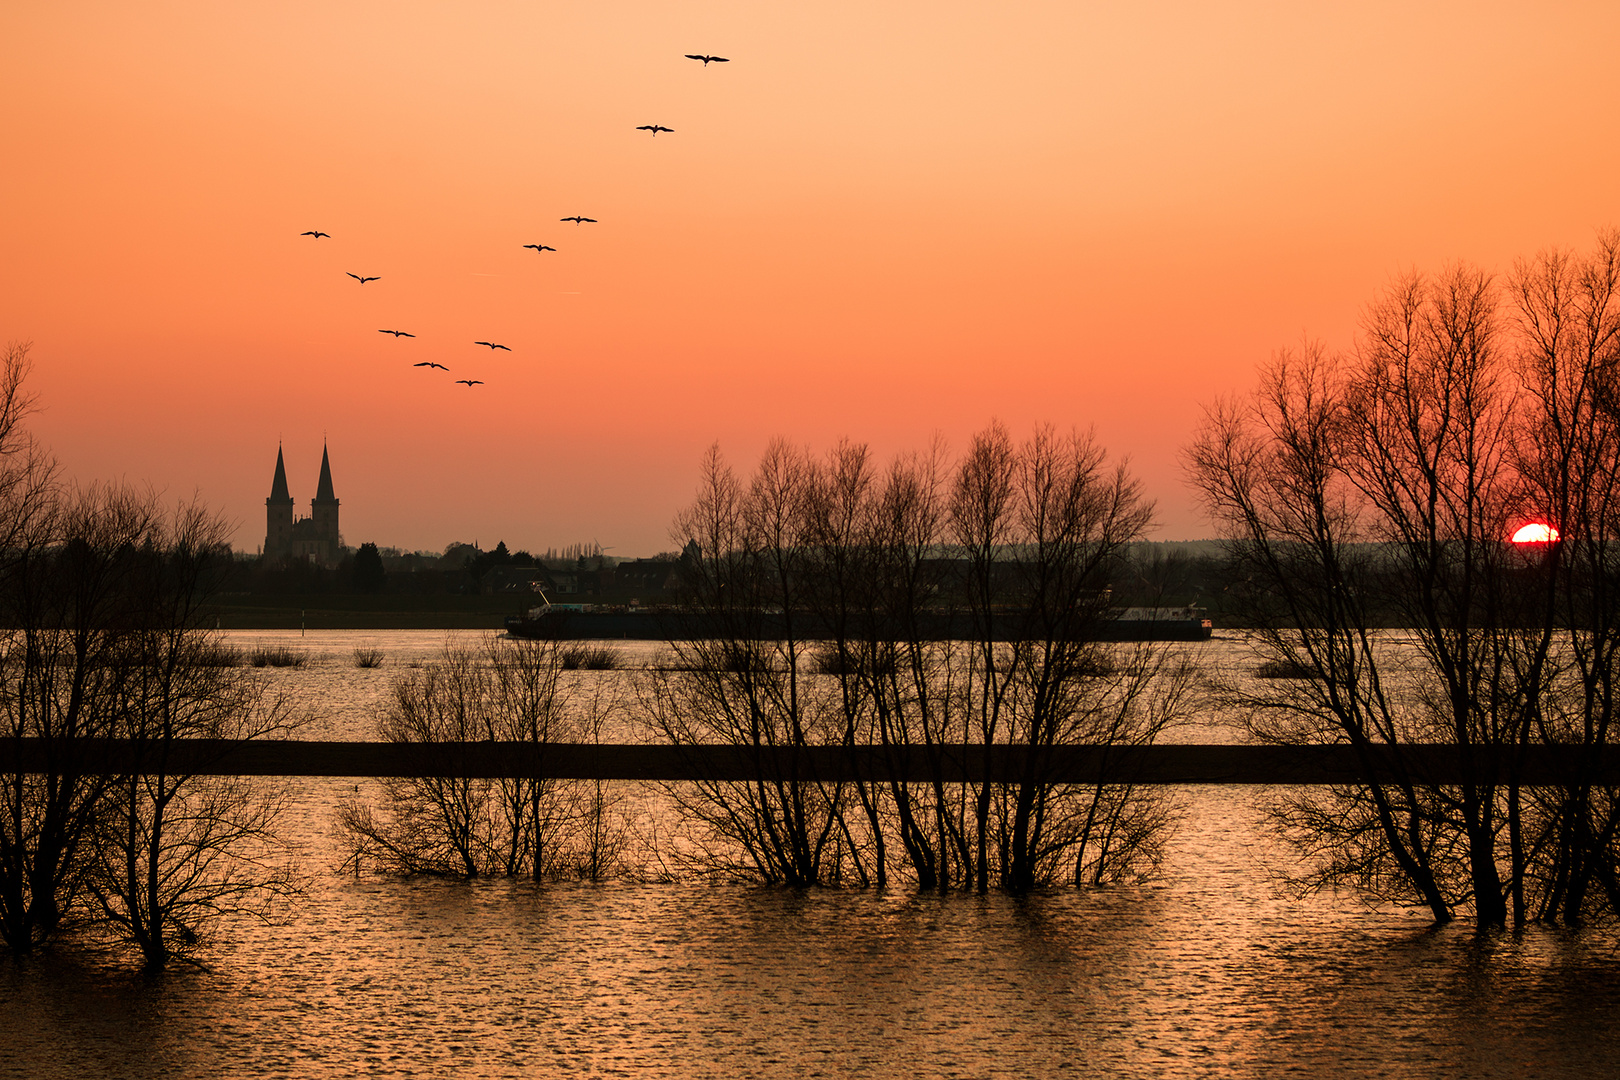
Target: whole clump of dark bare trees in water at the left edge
(103, 597)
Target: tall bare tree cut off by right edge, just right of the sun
(1569, 360)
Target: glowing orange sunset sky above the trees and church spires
(879, 221)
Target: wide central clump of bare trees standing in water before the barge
(934, 616)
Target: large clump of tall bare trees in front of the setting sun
(1379, 490)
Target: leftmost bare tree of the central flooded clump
(741, 682)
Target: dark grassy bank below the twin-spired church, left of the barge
(335, 611)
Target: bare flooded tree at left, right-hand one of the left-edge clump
(171, 849)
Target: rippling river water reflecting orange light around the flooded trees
(1209, 971)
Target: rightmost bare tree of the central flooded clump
(1044, 527)
